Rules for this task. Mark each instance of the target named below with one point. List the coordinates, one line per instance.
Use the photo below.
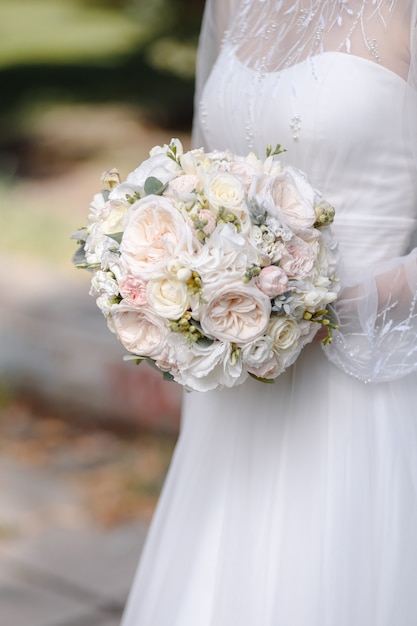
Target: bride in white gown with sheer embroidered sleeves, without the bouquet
(295, 504)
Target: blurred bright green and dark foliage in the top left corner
(139, 52)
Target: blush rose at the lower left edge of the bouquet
(140, 331)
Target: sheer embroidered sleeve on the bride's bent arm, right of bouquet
(377, 340)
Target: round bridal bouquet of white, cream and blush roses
(211, 266)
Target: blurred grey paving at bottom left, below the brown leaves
(56, 568)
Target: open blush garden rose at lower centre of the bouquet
(237, 313)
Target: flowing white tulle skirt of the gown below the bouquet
(291, 504)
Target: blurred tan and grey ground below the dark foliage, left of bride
(85, 439)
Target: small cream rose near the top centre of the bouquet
(225, 190)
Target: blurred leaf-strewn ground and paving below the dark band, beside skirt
(75, 503)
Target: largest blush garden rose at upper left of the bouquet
(155, 233)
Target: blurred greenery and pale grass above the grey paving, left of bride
(86, 85)
